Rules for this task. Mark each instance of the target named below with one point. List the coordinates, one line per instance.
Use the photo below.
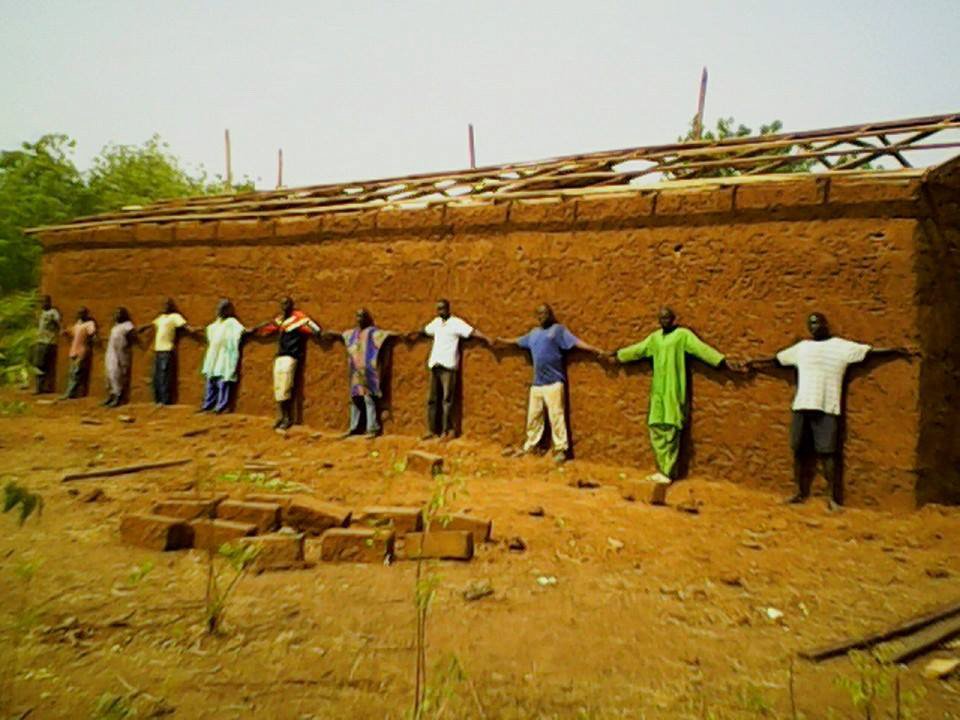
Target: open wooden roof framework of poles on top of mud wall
(835, 149)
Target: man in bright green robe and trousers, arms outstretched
(668, 348)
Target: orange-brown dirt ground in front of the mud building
(655, 612)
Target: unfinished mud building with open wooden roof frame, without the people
(743, 238)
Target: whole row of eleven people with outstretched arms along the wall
(821, 363)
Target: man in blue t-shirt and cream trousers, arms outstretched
(547, 345)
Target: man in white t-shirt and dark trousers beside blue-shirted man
(447, 331)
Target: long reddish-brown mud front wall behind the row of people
(742, 264)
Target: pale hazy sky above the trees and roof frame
(355, 90)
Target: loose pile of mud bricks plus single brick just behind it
(286, 527)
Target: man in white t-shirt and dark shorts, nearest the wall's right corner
(821, 363)
